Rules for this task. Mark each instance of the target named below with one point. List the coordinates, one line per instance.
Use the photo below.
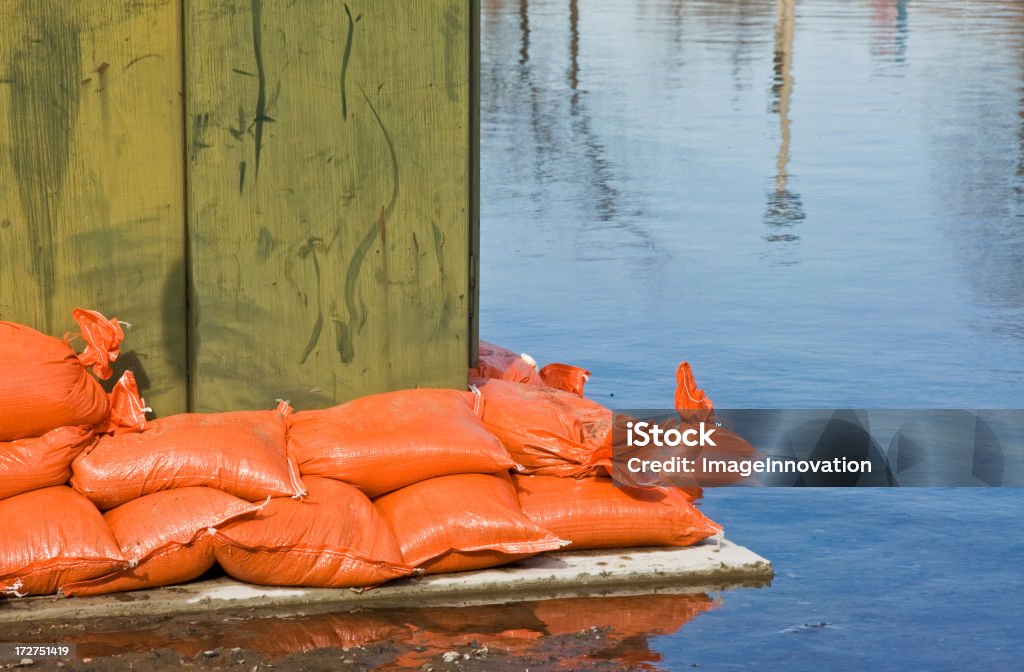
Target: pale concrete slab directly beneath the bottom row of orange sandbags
(704, 568)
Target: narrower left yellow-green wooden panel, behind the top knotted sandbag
(92, 171)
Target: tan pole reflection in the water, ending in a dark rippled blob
(785, 208)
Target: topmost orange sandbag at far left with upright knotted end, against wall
(45, 386)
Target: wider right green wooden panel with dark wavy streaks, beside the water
(329, 192)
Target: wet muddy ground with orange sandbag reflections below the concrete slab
(607, 633)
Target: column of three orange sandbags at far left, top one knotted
(51, 411)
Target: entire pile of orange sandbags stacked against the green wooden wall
(355, 495)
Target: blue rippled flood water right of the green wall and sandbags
(820, 205)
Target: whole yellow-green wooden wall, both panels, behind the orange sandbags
(280, 195)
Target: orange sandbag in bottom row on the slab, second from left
(167, 537)
